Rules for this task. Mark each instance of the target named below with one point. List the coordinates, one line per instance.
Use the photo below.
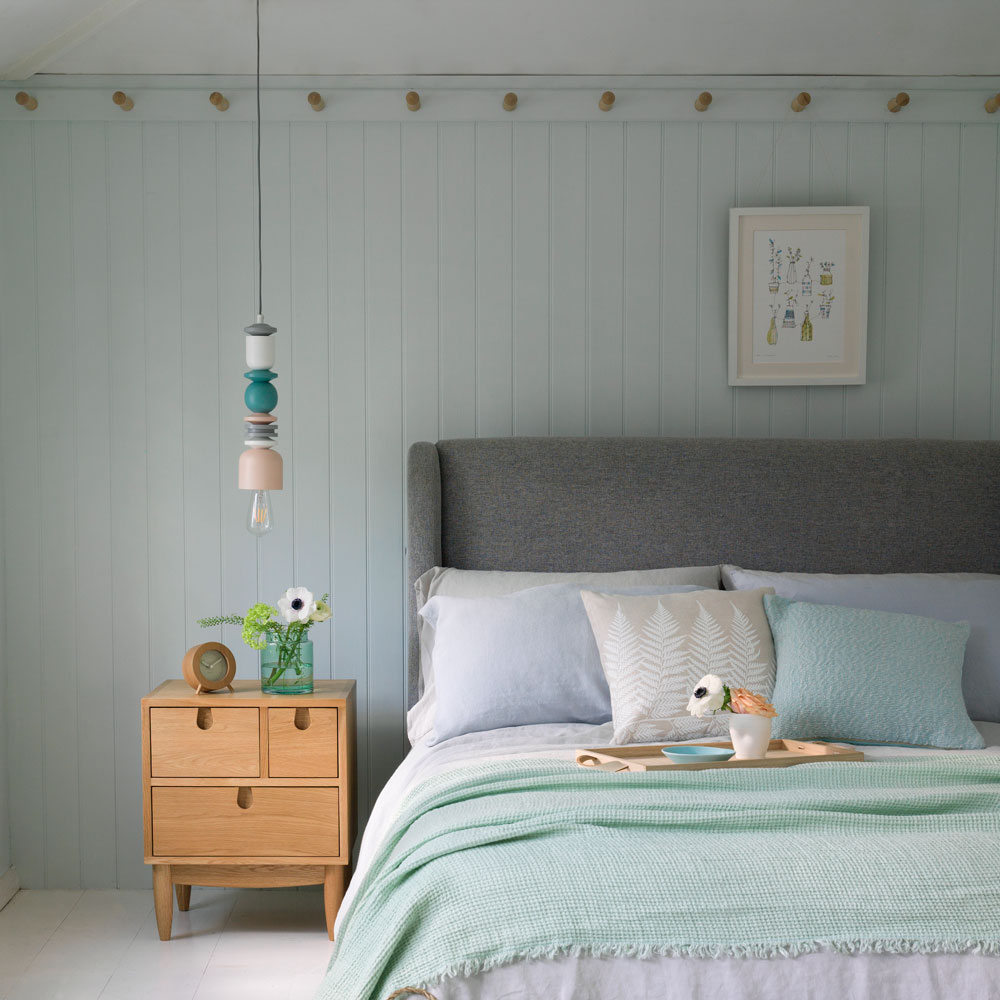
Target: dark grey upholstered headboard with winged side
(606, 504)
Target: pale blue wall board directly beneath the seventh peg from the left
(605, 277)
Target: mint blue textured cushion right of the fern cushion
(868, 676)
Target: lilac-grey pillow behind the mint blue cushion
(953, 597)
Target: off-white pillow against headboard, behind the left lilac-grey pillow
(448, 582)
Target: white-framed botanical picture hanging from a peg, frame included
(798, 296)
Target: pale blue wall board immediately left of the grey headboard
(383, 264)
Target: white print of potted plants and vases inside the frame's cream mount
(796, 276)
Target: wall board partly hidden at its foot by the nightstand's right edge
(349, 419)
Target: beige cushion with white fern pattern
(655, 648)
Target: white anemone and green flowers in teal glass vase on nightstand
(286, 652)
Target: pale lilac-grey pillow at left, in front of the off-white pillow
(517, 660)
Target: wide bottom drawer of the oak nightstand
(246, 821)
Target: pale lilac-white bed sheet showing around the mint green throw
(824, 975)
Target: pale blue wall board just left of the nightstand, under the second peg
(129, 520)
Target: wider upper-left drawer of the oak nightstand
(204, 742)
